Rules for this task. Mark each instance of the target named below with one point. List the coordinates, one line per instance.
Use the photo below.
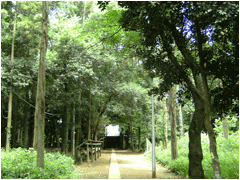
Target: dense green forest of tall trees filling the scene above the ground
(71, 68)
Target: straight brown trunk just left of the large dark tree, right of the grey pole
(173, 113)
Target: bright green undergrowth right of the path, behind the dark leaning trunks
(228, 153)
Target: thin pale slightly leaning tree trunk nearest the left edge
(10, 93)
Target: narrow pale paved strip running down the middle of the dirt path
(114, 169)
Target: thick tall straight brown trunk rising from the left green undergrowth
(40, 99)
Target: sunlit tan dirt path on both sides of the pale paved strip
(132, 165)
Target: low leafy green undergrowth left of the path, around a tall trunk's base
(21, 163)
